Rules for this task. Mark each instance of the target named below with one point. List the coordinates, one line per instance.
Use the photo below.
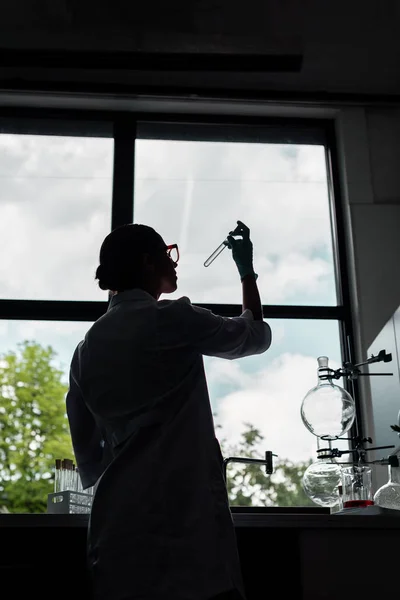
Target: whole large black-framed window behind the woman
(68, 180)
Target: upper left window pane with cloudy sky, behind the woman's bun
(55, 210)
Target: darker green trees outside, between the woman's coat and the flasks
(249, 485)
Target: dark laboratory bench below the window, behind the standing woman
(302, 555)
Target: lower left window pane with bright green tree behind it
(34, 429)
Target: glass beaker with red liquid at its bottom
(357, 486)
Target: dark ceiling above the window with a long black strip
(347, 47)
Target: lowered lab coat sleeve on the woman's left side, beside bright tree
(89, 447)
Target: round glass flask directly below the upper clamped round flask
(321, 480)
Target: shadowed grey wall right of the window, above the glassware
(370, 155)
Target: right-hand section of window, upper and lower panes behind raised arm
(192, 184)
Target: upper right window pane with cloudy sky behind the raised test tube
(194, 192)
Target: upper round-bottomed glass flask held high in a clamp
(327, 409)
